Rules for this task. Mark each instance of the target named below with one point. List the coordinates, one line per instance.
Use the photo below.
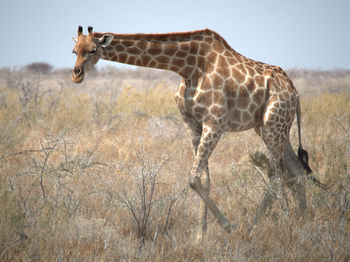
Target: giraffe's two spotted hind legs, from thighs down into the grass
(285, 165)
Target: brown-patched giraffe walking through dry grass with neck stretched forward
(220, 91)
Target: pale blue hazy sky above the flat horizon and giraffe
(311, 34)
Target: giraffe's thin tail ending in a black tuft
(303, 154)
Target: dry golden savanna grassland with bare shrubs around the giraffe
(98, 172)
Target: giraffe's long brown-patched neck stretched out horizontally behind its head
(178, 52)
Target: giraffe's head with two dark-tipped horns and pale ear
(88, 51)
